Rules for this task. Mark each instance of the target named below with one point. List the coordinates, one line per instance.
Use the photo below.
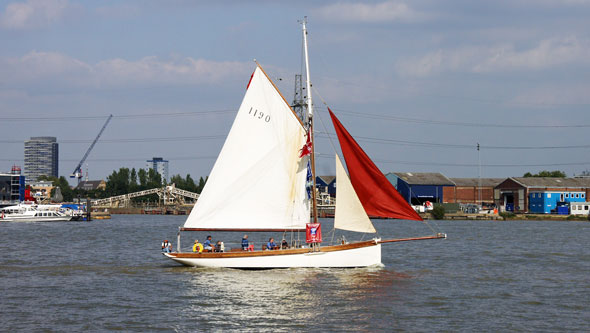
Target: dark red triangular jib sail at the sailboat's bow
(376, 193)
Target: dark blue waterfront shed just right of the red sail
(419, 187)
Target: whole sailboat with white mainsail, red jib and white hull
(260, 183)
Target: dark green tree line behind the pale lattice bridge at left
(125, 181)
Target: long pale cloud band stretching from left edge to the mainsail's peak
(51, 68)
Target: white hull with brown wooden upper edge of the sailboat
(361, 254)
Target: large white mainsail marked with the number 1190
(258, 180)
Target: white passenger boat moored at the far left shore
(31, 212)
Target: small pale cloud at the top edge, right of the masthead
(388, 11)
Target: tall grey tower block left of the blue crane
(41, 157)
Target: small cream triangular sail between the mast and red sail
(349, 213)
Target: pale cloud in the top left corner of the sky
(33, 14)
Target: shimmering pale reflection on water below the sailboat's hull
(228, 298)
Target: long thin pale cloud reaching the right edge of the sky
(548, 53)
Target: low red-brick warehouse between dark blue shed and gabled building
(471, 190)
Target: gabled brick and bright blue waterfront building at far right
(540, 194)
